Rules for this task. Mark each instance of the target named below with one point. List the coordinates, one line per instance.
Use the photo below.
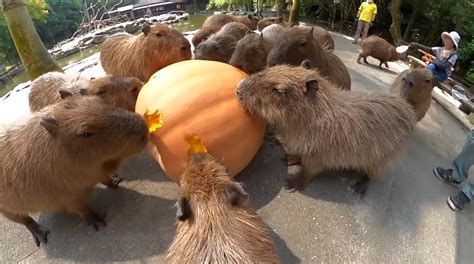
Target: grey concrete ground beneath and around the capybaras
(402, 219)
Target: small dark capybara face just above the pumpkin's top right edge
(251, 53)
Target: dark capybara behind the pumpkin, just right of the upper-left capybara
(220, 46)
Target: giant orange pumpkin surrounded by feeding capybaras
(198, 97)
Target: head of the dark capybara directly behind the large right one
(294, 45)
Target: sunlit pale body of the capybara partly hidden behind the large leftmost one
(44, 90)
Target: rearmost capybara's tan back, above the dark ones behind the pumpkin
(214, 23)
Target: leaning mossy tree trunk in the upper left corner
(33, 53)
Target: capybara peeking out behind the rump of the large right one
(415, 86)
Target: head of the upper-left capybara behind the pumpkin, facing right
(168, 46)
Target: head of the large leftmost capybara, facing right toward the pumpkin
(88, 127)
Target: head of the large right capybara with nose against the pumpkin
(280, 93)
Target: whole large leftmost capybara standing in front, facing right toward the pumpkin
(53, 160)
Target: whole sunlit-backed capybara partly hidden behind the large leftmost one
(117, 91)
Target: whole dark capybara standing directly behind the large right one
(297, 44)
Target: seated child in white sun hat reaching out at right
(446, 56)
